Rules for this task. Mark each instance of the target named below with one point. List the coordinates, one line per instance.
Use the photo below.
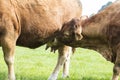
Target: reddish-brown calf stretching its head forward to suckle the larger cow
(100, 32)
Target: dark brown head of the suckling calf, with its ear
(70, 32)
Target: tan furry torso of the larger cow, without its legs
(32, 18)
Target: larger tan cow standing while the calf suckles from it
(32, 23)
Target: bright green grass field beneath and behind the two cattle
(38, 64)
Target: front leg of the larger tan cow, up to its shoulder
(9, 32)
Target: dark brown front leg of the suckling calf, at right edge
(116, 69)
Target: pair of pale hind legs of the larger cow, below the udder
(62, 58)
